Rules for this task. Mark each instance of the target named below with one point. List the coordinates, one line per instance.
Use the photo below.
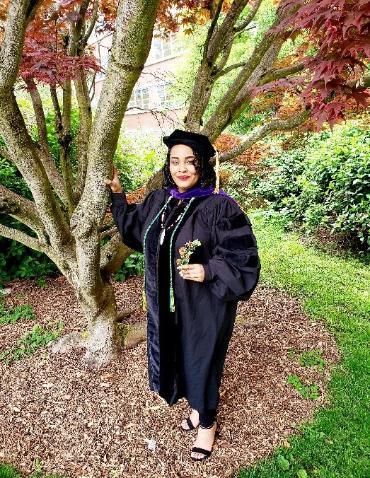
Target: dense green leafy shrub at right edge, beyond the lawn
(324, 184)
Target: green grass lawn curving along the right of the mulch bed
(334, 289)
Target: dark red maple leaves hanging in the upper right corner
(339, 31)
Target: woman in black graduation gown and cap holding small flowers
(191, 308)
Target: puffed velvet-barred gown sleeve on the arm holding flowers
(232, 273)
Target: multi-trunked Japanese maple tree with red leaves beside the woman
(47, 42)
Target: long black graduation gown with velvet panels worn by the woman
(186, 348)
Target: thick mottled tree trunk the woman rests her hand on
(134, 28)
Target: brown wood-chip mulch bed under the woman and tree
(95, 424)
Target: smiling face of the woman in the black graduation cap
(182, 167)
